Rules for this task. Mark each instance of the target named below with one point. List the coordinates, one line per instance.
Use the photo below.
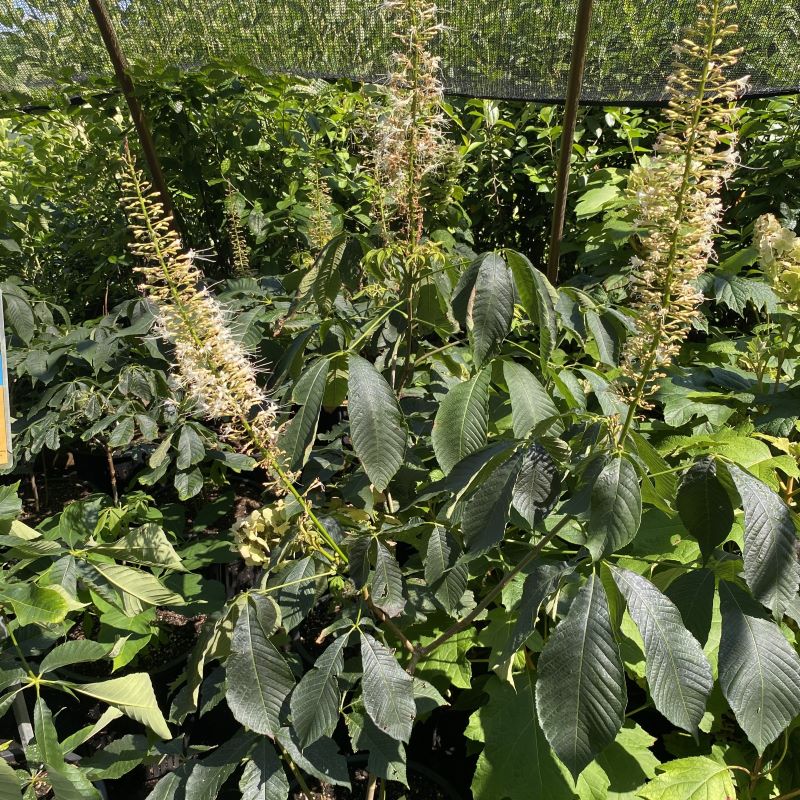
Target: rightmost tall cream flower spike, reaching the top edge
(677, 192)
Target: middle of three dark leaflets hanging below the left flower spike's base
(315, 700)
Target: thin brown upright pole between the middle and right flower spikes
(580, 43)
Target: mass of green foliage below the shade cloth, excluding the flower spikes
(471, 536)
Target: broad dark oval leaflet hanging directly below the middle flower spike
(377, 425)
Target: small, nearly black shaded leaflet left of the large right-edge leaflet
(704, 505)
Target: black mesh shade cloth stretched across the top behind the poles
(491, 48)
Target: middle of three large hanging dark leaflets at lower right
(678, 672)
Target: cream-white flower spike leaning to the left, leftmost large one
(211, 365)
